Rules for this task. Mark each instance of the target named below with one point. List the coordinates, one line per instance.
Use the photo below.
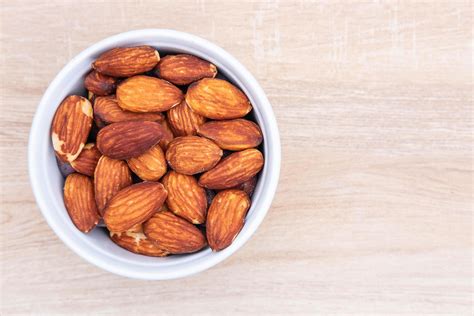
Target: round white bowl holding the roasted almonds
(47, 181)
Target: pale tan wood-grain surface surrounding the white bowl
(373, 213)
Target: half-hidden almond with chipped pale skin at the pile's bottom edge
(137, 242)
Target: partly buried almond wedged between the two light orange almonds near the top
(183, 121)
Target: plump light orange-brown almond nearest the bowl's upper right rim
(217, 99)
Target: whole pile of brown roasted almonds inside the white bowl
(161, 150)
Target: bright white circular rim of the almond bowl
(265, 198)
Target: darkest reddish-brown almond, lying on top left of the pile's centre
(125, 140)
